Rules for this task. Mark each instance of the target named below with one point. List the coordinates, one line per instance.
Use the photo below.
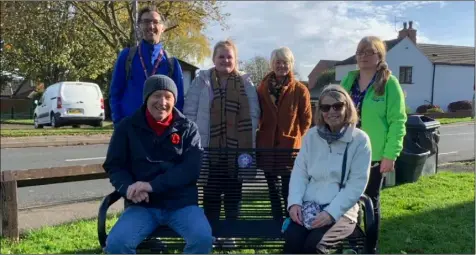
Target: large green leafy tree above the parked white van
(45, 41)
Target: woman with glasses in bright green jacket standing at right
(380, 104)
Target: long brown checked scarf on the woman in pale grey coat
(230, 121)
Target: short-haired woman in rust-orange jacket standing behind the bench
(285, 117)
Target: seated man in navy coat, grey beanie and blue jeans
(154, 161)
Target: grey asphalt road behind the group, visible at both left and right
(457, 143)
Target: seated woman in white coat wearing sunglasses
(329, 175)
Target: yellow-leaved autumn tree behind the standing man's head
(185, 20)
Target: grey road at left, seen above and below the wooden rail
(27, 158)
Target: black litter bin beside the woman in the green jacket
(420, 149)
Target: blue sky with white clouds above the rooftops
(316, 30)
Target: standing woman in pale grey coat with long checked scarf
(223, 102)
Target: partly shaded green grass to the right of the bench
(434, 215)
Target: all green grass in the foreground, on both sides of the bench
(434, 215)
